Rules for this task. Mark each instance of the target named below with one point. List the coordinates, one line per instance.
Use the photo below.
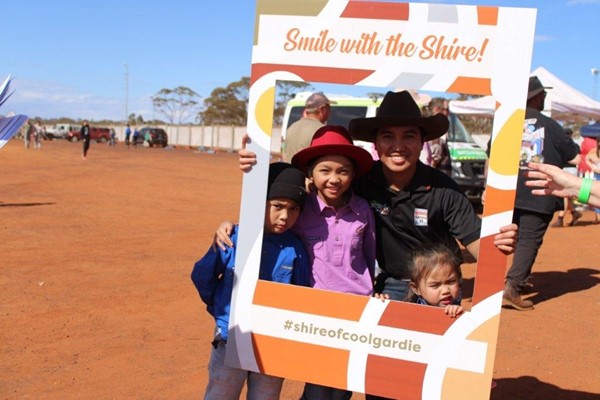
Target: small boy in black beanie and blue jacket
(284, 260)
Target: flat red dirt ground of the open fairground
(97, 302)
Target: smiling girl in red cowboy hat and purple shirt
(336, 226)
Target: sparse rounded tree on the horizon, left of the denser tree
(177, 105)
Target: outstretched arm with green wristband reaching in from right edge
(546, 179)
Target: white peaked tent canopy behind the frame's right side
(562, 98)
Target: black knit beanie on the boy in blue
(286, 181)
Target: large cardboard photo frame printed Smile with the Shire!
(392, 349)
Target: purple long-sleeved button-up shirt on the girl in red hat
(340, 244)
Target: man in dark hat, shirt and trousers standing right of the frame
(533, 214)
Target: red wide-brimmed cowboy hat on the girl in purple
(334, 140)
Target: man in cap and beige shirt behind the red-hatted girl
(298, 136)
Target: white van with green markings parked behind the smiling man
(467, 158)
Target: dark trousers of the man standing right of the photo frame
(532, 227)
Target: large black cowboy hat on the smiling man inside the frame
(398, 109)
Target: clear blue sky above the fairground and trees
(70, 58)
